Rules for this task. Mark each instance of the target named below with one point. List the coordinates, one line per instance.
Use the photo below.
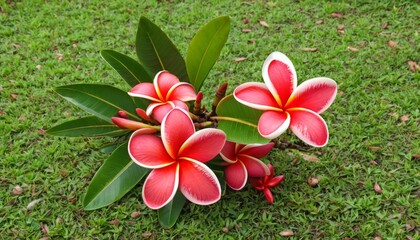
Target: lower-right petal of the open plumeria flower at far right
(309, 127)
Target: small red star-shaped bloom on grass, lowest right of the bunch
(265, 183)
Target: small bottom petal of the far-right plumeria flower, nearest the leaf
(273, 123)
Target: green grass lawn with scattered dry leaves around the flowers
(376, 88)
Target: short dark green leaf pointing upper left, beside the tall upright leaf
(129, 69)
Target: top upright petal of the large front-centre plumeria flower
(177, 127)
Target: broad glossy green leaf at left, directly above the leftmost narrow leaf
(103, 101)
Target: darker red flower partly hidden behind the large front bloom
(243, 162)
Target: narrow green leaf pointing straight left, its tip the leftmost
(88, 126)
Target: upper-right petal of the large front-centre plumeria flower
(203, 145)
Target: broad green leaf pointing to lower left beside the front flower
(118, 175)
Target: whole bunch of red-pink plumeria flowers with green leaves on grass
(184, 150)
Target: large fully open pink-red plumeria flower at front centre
(177, 158)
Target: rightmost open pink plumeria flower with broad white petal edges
(287, 106)
